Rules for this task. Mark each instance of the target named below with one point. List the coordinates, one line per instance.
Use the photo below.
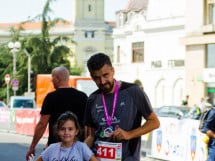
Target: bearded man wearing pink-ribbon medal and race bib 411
(114, 114)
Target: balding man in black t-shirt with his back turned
(64, 98)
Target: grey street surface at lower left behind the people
(13, 147)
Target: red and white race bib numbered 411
(107, 151)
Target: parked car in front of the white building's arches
(172, 111)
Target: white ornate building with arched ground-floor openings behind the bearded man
(147, 47)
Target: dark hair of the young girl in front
(68, 115)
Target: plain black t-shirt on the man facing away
(60, 101)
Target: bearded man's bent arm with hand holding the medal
(152, 122)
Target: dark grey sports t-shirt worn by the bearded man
(132, 104)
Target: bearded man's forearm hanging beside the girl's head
(89, 136)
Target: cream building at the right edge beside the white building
(200, 49)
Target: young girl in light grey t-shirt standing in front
(69, 149)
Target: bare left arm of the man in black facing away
(38, 133)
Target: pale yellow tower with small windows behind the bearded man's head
(91, 32)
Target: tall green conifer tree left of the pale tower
(47, 53)
